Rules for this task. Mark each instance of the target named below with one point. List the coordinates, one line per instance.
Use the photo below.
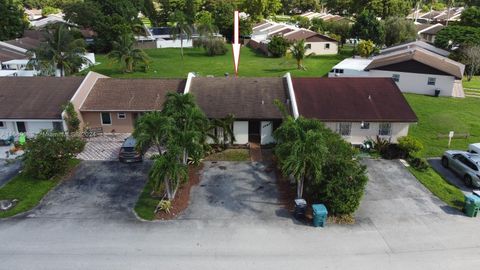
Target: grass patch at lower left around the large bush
(28, 191)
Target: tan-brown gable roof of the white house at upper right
(422, 56)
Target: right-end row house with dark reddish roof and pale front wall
(356, 108)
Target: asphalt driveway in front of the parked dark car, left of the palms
(96, 190)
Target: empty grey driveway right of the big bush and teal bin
(394, 196)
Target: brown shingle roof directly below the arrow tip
(245, 98)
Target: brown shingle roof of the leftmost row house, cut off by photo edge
(35, 97)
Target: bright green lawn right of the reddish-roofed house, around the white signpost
(441, 115)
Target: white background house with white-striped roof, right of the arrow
(317, 43)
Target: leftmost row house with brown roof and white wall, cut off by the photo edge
(28, 105)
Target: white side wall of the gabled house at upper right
(417, 83)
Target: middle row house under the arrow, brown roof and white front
(249, 100)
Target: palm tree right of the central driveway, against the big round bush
(301, 150)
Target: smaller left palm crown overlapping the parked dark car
(153, 129)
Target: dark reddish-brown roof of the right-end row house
(352, 100)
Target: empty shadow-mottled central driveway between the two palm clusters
(235, 190)
